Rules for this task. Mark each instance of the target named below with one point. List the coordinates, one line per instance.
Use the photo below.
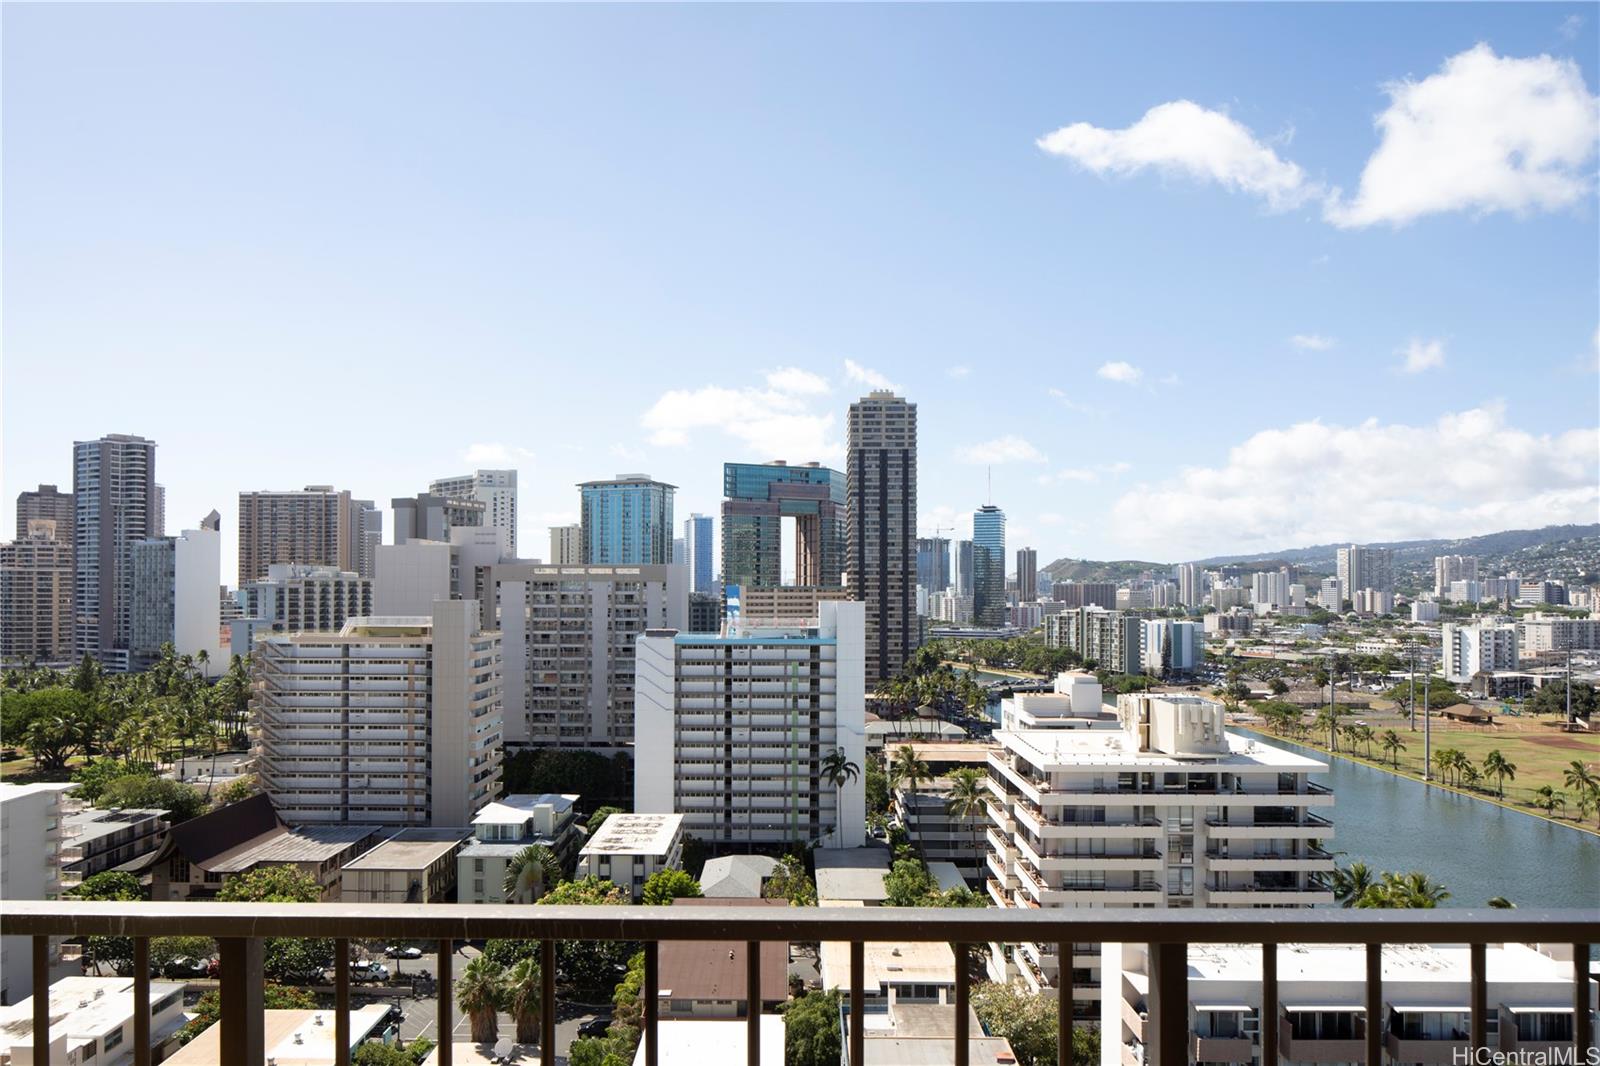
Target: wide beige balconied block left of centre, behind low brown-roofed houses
(391, 721)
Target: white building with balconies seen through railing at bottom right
(1321, 1012)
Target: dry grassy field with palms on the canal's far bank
(1535, 745)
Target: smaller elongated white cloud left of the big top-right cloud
(1186, 140)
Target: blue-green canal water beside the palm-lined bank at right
(1478, 851)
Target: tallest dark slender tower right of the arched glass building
(882, 527)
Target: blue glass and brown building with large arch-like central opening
(759, 500)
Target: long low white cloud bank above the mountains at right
(1311, 484)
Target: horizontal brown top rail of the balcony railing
(62, 918)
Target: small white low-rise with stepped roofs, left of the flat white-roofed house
(506, 828)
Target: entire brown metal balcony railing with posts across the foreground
(239, 931)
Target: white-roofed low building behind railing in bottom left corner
(90, 1024)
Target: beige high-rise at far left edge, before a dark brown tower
(36, 595)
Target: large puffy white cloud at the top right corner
(1487, 134)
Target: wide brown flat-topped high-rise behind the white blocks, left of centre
(316, 526)
